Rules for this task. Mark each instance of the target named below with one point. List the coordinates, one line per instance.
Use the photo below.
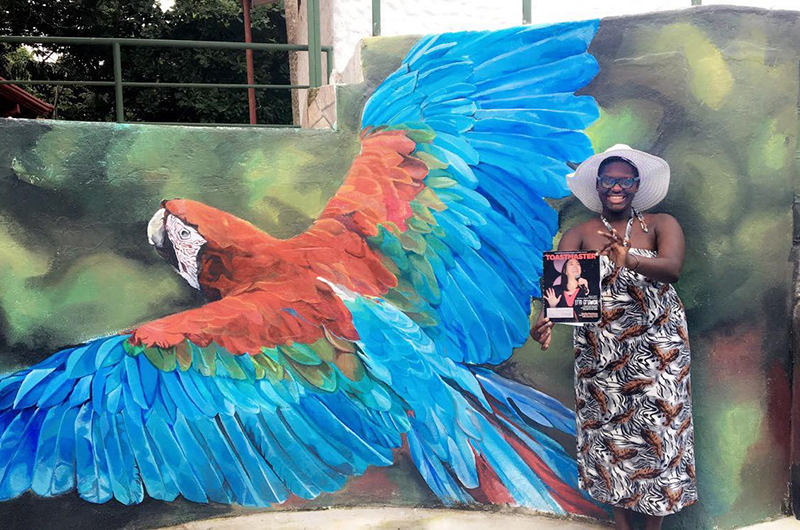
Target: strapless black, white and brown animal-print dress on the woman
(634, 413)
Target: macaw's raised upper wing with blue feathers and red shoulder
(460, 147)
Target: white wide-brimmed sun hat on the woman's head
(653, 178)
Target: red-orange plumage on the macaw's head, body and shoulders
(269, 291)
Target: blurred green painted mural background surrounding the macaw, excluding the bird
(715, 91)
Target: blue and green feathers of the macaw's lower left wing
(113, 420)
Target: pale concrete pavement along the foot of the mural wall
(414, 519)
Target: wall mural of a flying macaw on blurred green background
(380, 315)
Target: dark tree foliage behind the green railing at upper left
(220, 20)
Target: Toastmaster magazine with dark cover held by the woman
(571, 287)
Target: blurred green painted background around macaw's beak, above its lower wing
(75, 198)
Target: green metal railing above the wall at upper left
(314, 49)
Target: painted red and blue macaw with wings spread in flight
(318, 356)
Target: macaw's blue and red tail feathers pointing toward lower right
(466, 420)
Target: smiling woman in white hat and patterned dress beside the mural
(635, 436)
